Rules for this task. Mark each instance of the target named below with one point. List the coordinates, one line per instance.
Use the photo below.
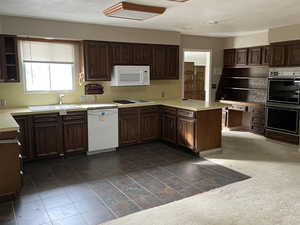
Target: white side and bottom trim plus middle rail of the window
(23, 74)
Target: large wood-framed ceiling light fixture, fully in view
(127, 10)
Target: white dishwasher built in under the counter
(103, 130)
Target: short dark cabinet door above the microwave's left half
(121, 53)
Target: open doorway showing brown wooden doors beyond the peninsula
(196, 74)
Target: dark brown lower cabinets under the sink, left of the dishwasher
(52, 135)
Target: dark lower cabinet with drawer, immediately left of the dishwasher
(75, 132)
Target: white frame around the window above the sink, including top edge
(23, 71)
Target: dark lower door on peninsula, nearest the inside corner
(169, 131)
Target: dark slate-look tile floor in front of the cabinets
(91, 190)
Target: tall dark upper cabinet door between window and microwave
(96, 61)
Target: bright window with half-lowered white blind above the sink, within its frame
(48, 66)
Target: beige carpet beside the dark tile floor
(270, 197)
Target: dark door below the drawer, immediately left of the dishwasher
(75, 136)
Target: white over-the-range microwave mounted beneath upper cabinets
(130, 76)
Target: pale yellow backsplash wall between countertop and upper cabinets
(15, 96)
